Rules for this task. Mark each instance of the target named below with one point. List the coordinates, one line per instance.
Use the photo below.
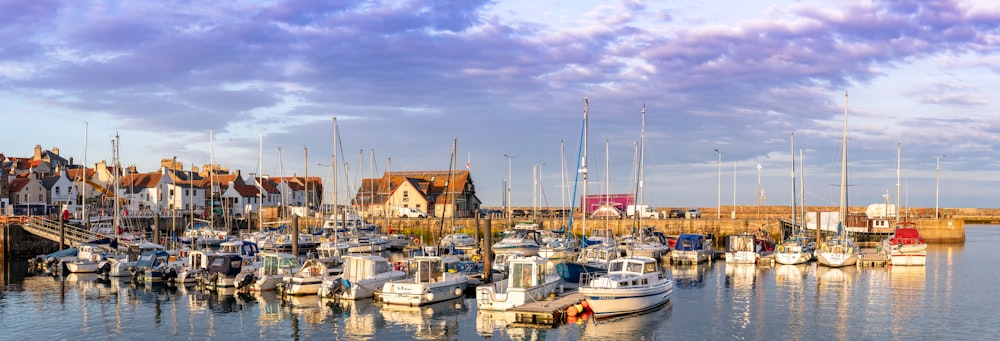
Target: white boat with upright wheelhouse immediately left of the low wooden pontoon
(527, 281)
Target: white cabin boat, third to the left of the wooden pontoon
(362, 276)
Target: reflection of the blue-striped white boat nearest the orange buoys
(643, 326)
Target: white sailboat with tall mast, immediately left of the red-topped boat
(840, 249)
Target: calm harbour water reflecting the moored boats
(953, 297)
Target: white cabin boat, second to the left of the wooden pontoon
(431, 282)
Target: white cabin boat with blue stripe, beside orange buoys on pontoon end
(631, 285)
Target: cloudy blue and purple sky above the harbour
(724, 84)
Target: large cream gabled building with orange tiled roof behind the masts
(440, 193)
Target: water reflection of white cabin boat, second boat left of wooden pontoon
(434, 321)
